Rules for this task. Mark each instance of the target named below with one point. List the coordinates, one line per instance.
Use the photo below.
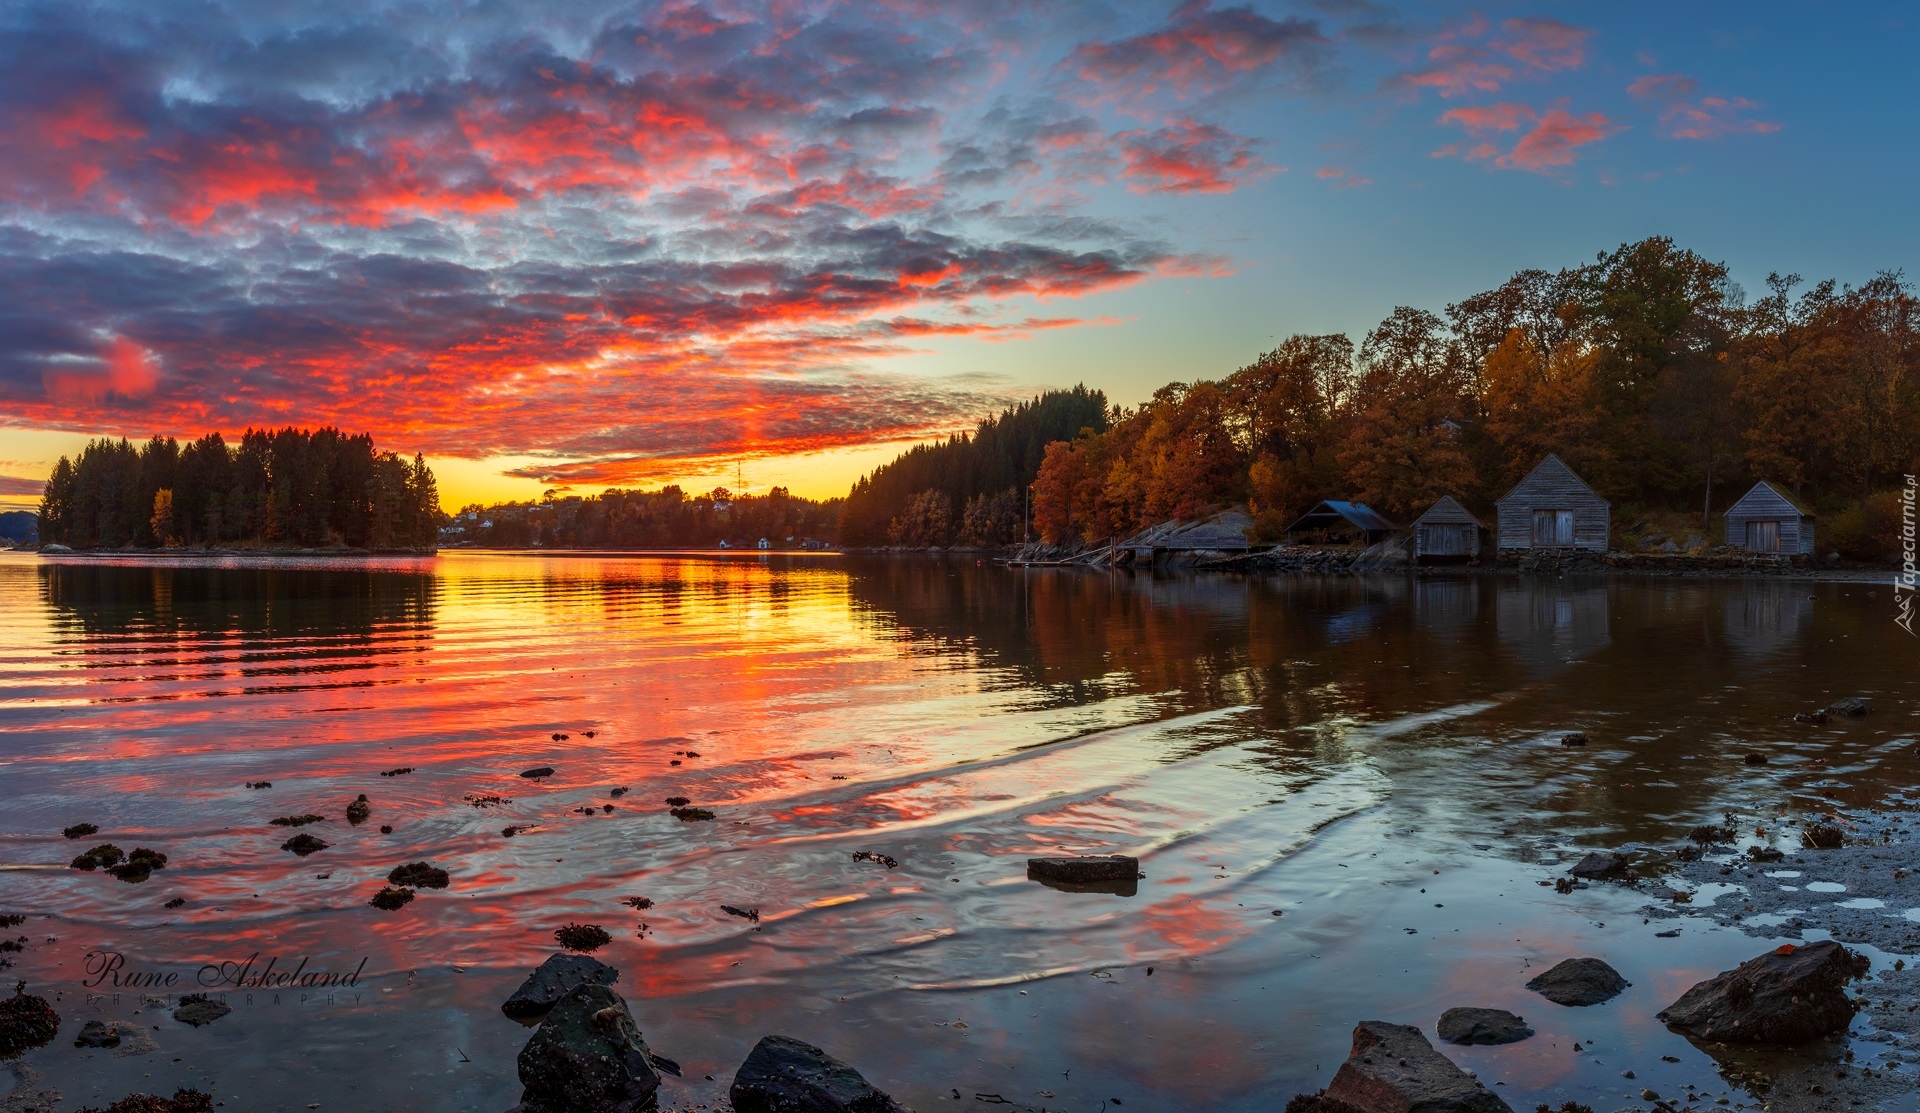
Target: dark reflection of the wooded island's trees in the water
(262, 602)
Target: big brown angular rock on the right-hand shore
(1785, 997)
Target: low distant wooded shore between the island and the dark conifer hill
(665, 519)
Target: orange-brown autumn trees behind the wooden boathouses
(1648, 371)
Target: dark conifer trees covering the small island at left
(287, 486)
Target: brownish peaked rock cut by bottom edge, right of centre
(1395, 1070)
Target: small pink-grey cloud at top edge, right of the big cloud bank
(1199, 51)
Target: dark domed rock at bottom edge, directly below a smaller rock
(588, 1058)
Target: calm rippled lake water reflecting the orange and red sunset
(1374, 759)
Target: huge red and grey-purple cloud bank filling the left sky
(675, 233)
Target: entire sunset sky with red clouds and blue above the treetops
(573, 245)
